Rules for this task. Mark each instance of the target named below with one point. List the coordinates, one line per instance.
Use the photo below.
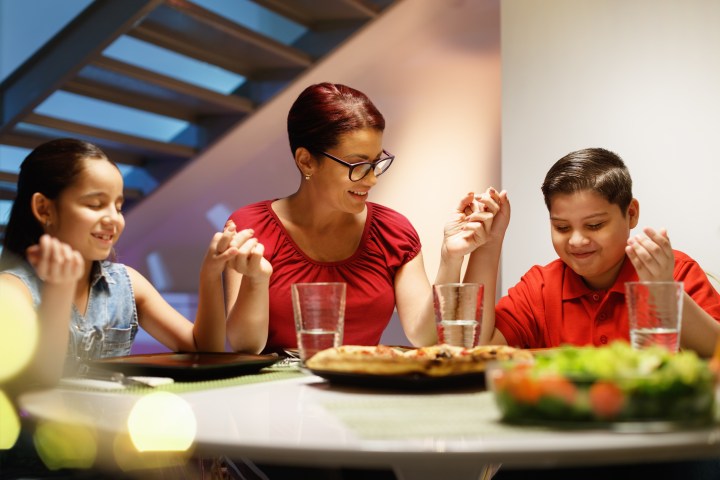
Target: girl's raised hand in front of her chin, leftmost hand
(55, 262)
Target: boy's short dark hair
(596, 169)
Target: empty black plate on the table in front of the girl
(187, 366)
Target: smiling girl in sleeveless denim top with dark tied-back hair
(65, 220)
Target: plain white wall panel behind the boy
(639, 77)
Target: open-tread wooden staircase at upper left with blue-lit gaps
(81, 64)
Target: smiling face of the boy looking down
(590, 234)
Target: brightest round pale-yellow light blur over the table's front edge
(162, 421)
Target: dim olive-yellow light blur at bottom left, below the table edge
(62, 445)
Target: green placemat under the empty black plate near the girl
(268, 374)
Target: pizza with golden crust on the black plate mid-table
(434, 361)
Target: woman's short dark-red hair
(325, 111)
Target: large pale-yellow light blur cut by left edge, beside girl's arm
(18, 324)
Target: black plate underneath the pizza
(404, 382)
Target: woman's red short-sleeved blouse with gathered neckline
(388, 242)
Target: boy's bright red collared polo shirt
(552, 306)
